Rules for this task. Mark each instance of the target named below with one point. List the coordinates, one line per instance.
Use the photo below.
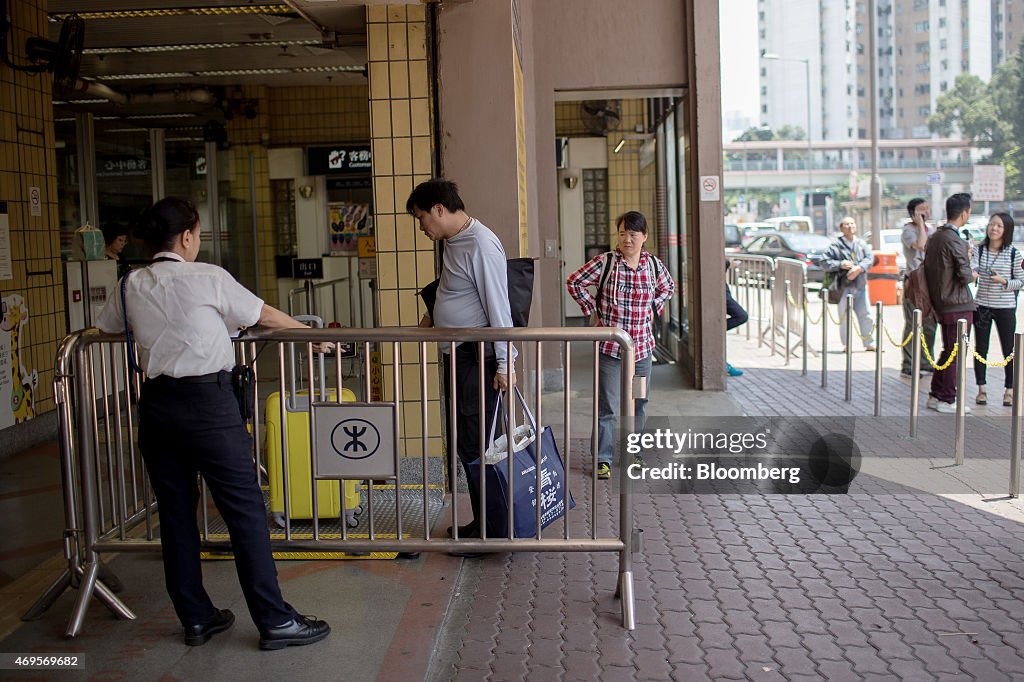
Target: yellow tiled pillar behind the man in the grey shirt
(401, 126)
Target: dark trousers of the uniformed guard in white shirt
(190, 429)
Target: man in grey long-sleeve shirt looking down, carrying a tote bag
(474, 292)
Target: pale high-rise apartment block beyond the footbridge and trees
(922, 47)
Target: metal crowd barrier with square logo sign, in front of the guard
(110, 508)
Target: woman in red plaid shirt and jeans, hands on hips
(635, 290)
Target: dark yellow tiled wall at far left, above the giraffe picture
(27, 160)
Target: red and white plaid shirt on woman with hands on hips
(627, 300)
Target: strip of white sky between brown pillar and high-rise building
(739, 21)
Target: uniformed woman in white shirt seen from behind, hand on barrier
(181, 314)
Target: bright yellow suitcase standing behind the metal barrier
(301, 464)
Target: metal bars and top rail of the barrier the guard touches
(88, 535)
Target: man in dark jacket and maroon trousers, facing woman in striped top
(948, 271)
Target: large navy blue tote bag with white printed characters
(554, 485)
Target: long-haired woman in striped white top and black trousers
(1000, 275)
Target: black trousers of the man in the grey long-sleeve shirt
(467, 409)
